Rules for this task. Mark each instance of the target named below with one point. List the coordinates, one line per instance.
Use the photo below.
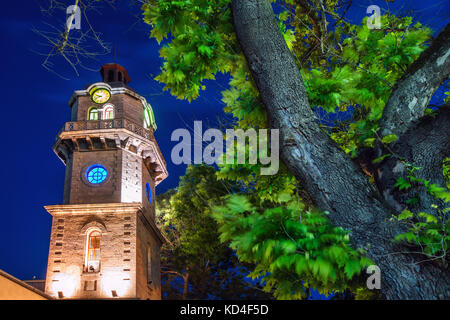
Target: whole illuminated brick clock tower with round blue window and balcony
(104, 240)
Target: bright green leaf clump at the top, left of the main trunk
(199, 31)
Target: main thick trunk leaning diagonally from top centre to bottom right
(330, 177)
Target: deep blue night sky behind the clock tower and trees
(34, 106)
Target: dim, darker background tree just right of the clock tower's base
(193, 253)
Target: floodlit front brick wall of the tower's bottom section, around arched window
(67, 256)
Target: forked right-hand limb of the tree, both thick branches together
(422, 142)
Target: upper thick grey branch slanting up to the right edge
(412, 93)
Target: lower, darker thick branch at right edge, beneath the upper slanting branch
(425, 145)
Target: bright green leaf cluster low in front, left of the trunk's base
(293, 250)
